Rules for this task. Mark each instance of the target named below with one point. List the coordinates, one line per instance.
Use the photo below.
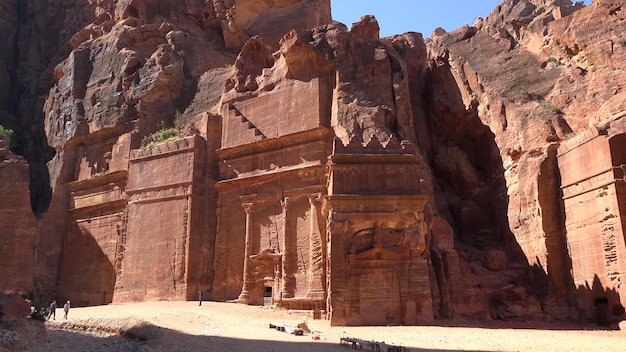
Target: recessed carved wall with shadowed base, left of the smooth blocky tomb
(91, 247)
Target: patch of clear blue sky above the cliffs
(399, 16)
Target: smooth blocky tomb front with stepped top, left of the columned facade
(164, 244)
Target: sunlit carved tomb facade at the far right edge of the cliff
(595, 194)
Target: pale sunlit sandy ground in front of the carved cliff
(185, 326)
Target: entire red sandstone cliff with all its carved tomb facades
(380, 181)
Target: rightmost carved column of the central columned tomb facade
(316, 255)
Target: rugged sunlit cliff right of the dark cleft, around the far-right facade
(529, 106)
